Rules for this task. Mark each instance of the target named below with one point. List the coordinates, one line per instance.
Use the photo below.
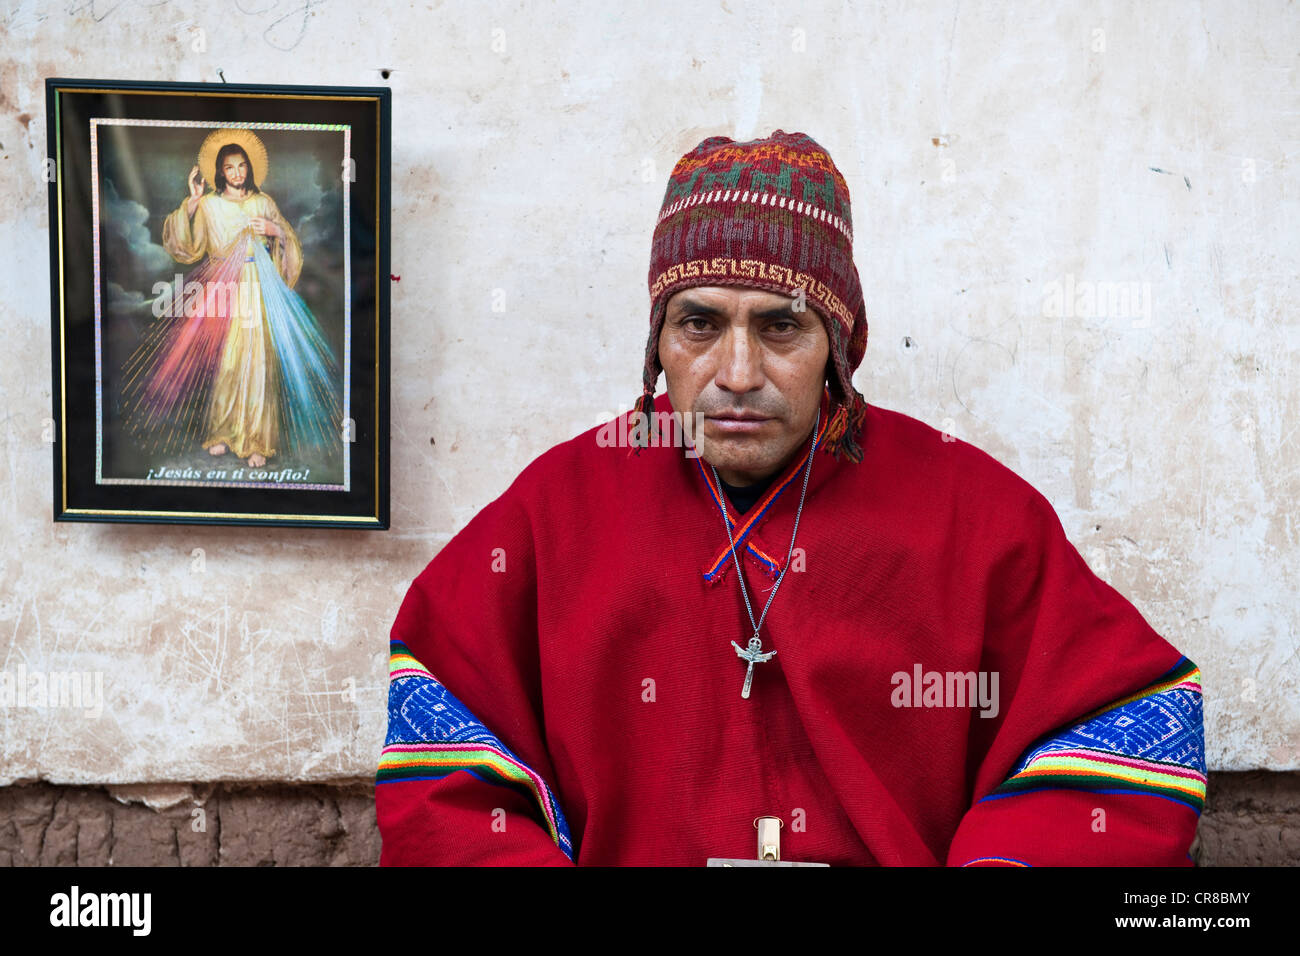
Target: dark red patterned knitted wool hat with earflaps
(769, 214)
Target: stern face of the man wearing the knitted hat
(753, 367)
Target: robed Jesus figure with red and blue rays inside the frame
(242, 338)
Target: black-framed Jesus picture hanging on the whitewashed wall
(220, 304)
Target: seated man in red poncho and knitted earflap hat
(759, 596)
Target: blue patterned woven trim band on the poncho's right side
(1149, 743)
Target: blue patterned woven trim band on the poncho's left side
(432, 736)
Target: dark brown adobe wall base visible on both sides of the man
(1251, 820)
